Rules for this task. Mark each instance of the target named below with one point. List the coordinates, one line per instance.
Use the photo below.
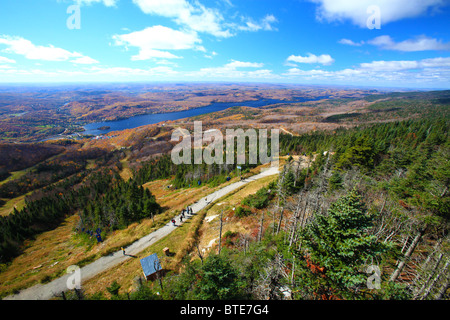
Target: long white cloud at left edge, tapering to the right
(26, 48)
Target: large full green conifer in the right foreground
(336, 246)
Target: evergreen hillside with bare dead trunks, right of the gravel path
(366, 219)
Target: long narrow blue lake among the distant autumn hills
(142, 120)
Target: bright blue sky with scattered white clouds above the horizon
(384, 43)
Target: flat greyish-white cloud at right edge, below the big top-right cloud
(421, 43)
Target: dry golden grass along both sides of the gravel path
(48, 256)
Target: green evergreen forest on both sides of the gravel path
(349, 206)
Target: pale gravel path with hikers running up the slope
(49, 290)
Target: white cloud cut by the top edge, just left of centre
(194, 16)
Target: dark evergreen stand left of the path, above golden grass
(102, 199)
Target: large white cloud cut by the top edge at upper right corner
(391, 10)
